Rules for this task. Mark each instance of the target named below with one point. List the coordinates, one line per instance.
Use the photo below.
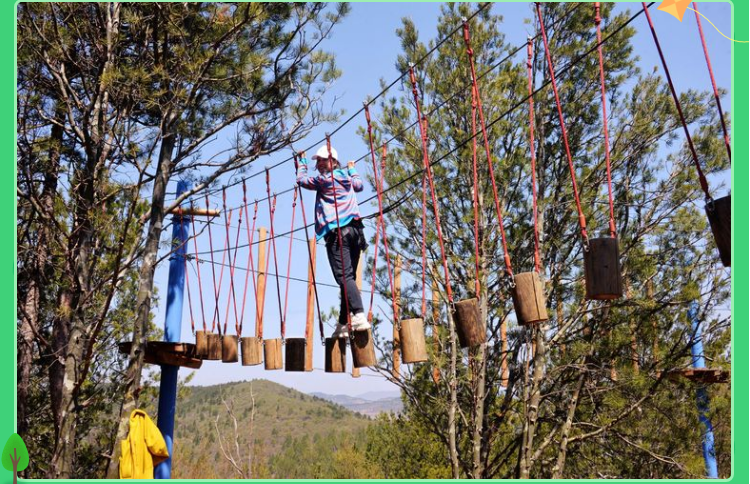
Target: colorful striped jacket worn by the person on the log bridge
(347, 182)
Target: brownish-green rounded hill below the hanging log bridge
(280, 414)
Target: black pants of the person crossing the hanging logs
(353, 240)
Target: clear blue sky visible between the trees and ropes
(366, 47)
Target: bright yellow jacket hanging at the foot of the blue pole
(143, 449)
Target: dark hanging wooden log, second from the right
(602, 268)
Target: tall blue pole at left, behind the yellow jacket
(172, 327)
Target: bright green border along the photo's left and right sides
(740, 137)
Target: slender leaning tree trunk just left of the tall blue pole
(143, 301)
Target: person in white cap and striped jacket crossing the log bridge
(330, 196)
